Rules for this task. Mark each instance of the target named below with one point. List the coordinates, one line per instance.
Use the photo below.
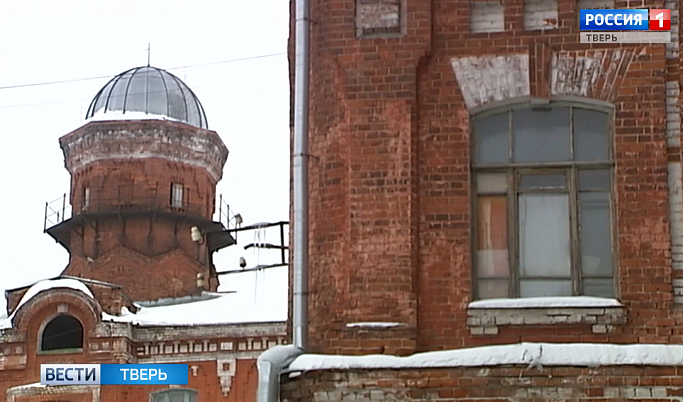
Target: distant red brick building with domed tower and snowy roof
(137, 288)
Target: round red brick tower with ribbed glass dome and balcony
(143, 171)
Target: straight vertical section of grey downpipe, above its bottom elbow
(300, 172)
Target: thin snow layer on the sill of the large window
(547, 302)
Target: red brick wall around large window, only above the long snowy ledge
(390, 214)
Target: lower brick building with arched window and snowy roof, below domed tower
(76, 320)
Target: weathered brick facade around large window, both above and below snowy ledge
(391, 192)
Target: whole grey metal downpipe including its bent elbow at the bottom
(271, 362)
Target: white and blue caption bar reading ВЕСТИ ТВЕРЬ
(113, 374)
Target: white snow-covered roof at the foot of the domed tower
(218, 308)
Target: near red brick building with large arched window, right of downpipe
(480, 177)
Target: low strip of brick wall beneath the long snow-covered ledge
(503, 383)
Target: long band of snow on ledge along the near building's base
(531, 354)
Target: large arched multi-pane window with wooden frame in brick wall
(542, 180)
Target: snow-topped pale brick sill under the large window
(484, 317)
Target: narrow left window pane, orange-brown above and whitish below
(492, 238)
